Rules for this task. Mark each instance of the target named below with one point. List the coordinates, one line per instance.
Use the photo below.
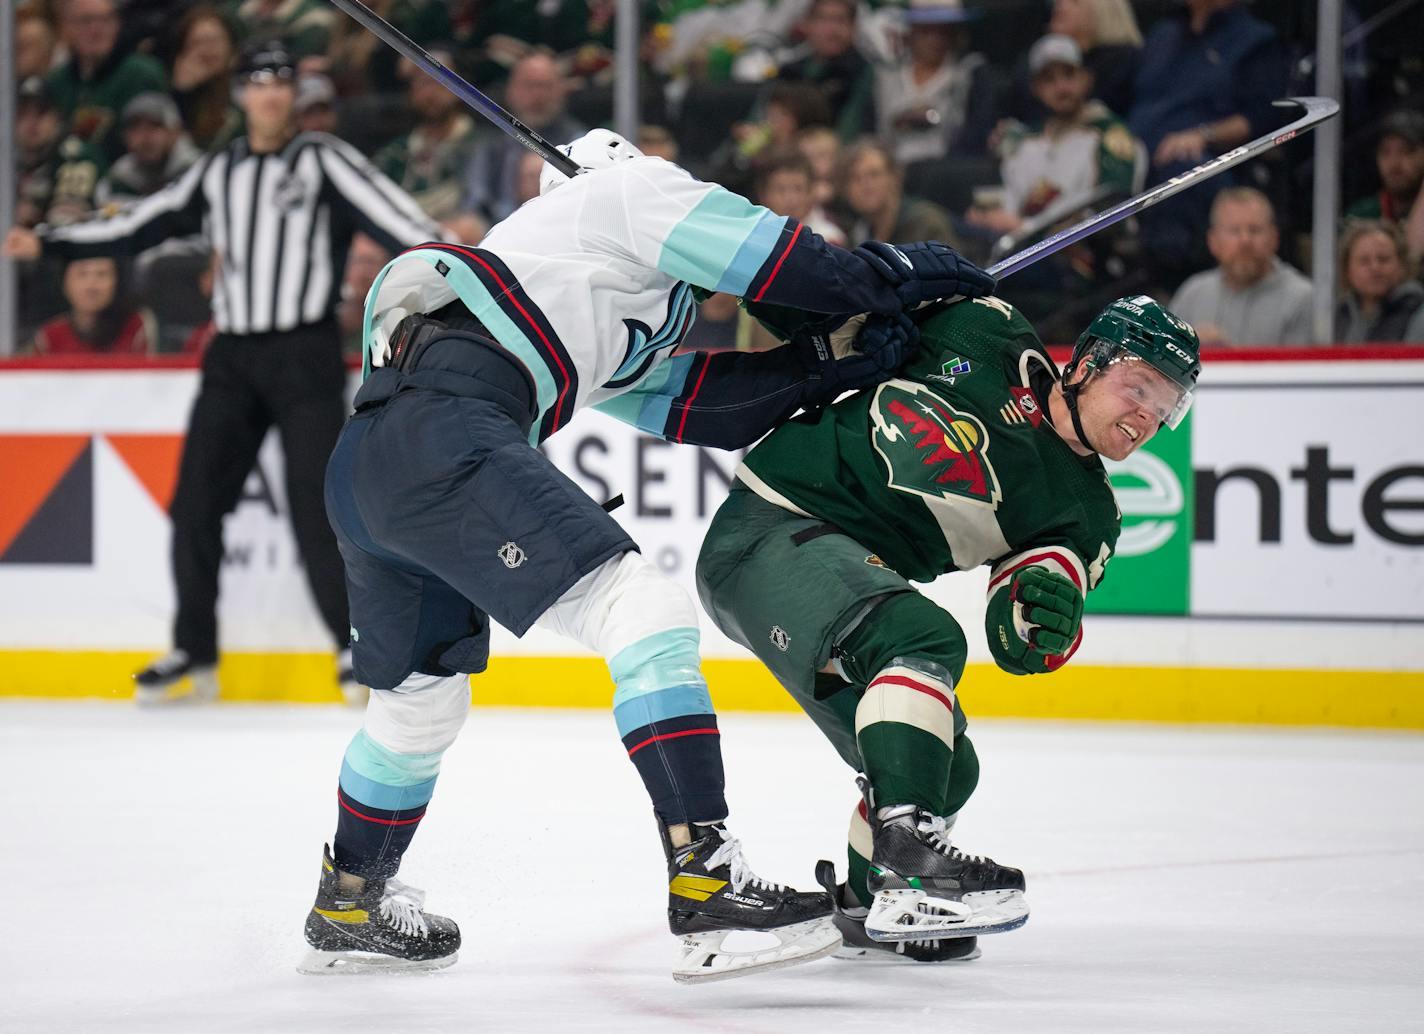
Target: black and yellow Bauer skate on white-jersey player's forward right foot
(714, 894)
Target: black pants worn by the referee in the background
(295, 381)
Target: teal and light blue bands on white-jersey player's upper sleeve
(721, 243)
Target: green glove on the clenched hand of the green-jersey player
(1033, 623)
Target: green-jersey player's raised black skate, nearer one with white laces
(928, 889)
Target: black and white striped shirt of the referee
(281, 224)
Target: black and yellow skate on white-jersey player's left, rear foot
(381, 931)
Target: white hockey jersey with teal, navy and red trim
(590, 286)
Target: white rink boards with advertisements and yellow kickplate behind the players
(1271, 569)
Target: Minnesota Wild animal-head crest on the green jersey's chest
(931, 448)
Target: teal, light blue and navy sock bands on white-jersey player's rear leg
(382, 798)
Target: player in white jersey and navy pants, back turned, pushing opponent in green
(449, 518)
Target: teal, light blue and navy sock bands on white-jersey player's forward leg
(669, 727)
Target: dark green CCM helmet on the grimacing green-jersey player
(1140, 330)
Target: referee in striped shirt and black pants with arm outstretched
(280, 210)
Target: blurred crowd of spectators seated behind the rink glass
(988, 126)
